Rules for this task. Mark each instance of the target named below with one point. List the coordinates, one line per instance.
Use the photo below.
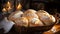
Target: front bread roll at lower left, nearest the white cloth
(23, 21)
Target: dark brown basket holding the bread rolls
(22, 29)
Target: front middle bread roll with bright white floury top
(35, 22)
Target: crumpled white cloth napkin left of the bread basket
(6, 25)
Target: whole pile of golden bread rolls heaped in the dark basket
(32, 18)
